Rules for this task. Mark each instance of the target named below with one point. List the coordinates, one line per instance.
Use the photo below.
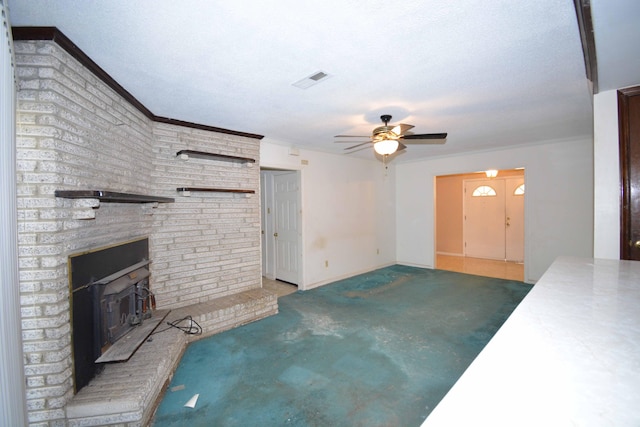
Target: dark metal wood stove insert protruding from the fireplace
(124, 304)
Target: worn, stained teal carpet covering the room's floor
(378, 349)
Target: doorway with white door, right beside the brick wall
(281, 222)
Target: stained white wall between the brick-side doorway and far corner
(348, 212)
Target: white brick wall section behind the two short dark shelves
(207, 245)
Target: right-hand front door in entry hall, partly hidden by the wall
(514, 239)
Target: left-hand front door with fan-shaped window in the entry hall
(484, 219)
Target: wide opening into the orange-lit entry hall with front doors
(481, 235)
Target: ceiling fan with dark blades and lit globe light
(388, 139)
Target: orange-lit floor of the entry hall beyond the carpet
(481, 267)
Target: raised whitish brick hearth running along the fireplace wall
(127, 393)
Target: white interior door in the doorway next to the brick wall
(287, 227)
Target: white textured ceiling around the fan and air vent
(490, 73)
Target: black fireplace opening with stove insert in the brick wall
(110, 296)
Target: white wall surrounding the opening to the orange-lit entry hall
(558, 201)
